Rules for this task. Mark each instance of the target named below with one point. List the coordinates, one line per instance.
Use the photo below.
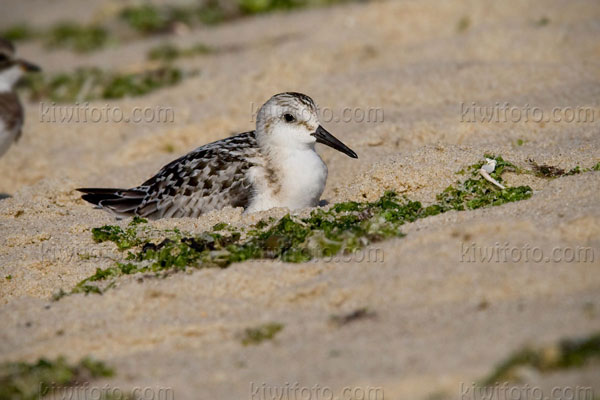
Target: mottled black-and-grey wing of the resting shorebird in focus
(210, 177)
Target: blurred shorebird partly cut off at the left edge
(11, 111)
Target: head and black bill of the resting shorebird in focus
(291, 120)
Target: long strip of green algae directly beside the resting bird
(344, 228)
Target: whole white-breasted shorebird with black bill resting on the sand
(275, 165)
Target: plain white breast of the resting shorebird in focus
(300, 180)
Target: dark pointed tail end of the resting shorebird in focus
(118, 201)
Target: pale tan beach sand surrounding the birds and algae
(440, 319)
